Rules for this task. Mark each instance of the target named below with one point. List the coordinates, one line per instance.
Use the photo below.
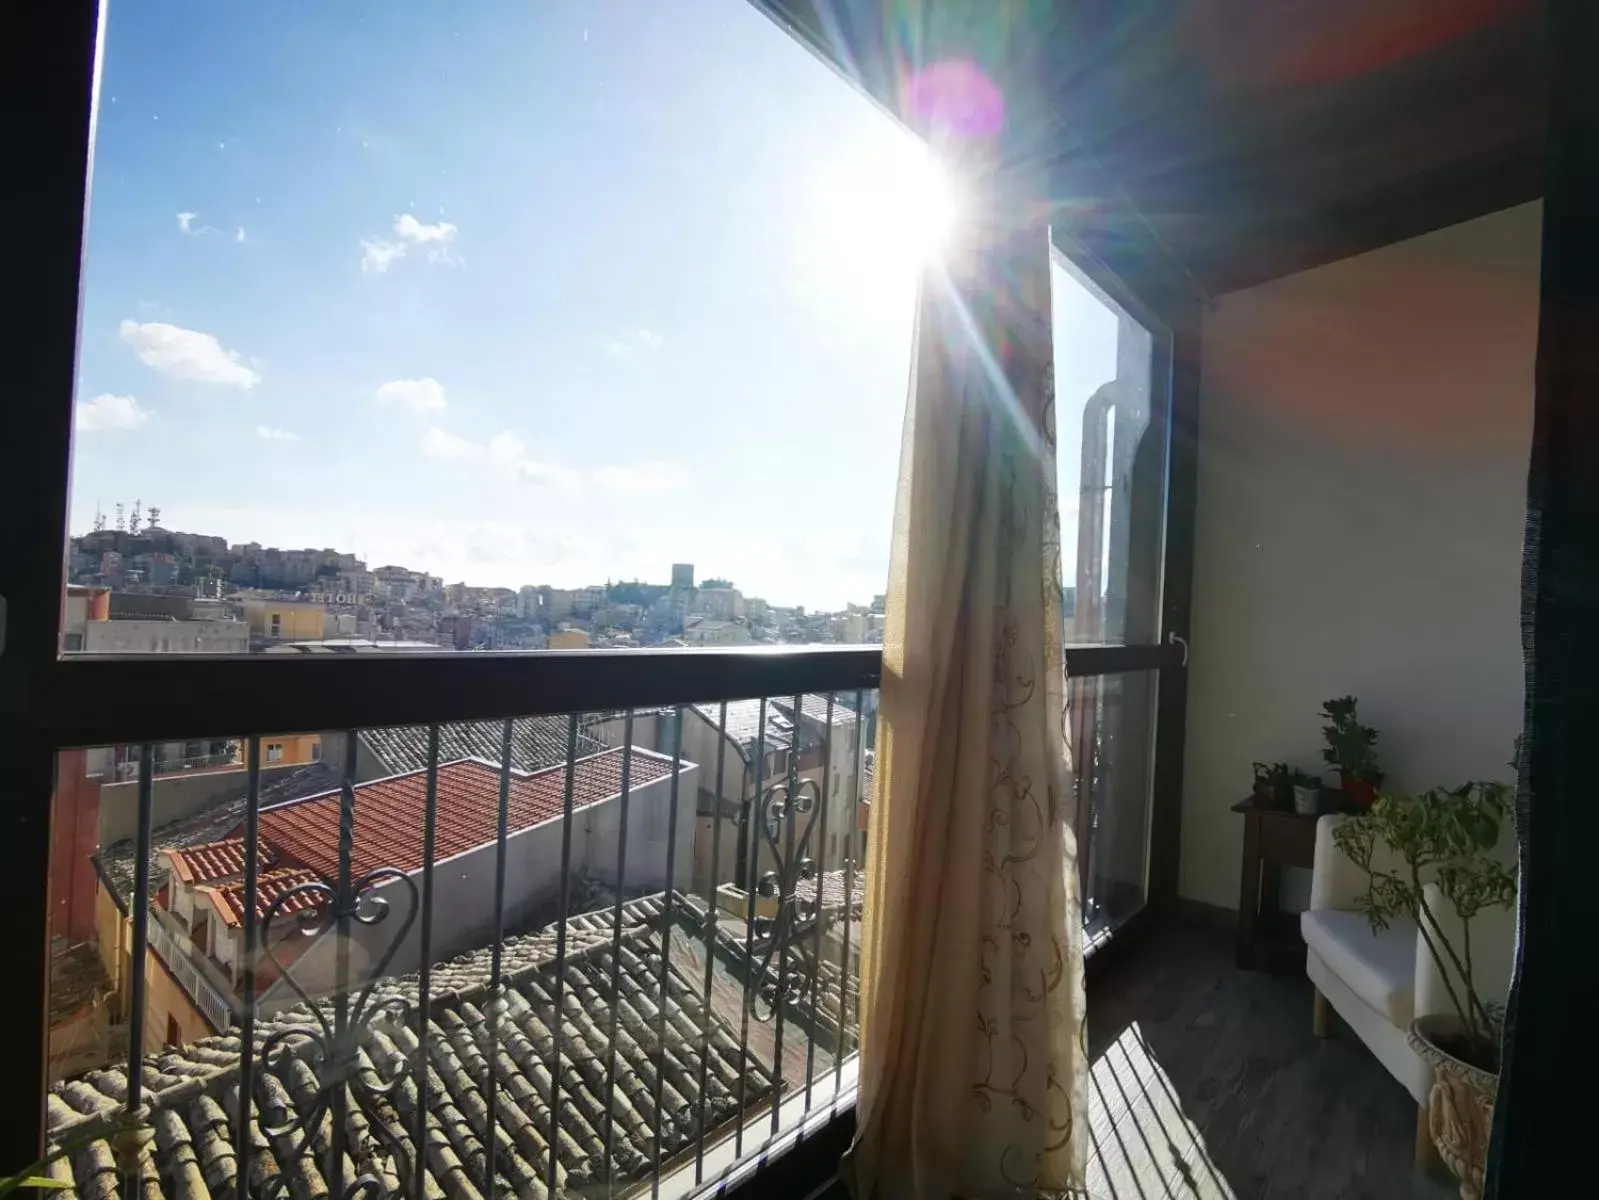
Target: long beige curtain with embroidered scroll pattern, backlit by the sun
(973, 1062)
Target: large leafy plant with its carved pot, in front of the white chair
(1445, 838)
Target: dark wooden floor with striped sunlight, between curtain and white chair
(1208, 1082)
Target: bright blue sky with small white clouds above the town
(514, 292)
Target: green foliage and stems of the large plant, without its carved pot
(1446, 838)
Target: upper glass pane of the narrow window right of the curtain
(1112, 463)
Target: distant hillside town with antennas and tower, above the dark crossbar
(138, 586)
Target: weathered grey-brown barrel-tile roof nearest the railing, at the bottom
(194, 1090)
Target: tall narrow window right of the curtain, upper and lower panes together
(1114, 452)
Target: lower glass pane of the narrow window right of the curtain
(1112, 727)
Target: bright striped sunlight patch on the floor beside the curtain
(1142, 1146)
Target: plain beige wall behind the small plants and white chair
(1363, 465)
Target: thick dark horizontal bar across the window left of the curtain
(105, 700)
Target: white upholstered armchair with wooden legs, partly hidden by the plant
(1379, 983)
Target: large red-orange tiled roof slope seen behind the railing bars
(389, 814)
